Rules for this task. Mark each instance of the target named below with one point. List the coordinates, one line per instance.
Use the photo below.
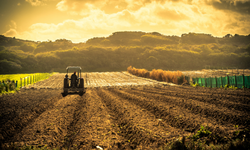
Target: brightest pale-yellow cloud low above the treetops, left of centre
(98, 24)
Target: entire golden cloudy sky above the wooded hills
(79, 20)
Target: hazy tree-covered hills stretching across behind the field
(122, 49)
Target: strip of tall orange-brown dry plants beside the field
(158, 74)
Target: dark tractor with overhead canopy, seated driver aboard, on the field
(75, 83)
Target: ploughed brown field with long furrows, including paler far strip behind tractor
(114, 114)
